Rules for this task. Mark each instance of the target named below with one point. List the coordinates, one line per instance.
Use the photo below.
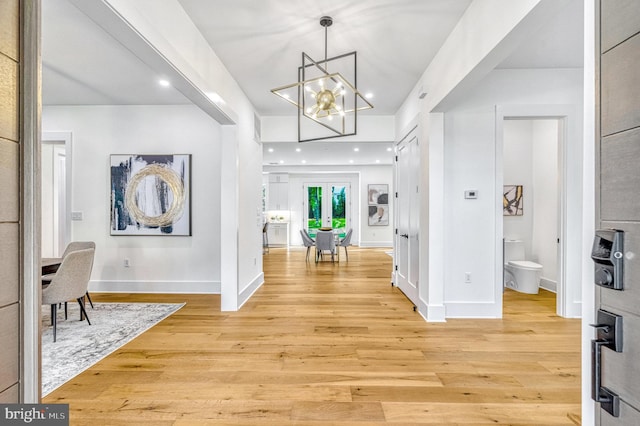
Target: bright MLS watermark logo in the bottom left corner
(35, 414)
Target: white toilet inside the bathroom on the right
(519, 274)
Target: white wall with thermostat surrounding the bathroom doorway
(470, 152)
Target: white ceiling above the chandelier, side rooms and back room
(261, 41)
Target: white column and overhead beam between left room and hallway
(169, 41)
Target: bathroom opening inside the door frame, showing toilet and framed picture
(532, 194)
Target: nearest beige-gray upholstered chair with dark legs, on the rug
(69, 282)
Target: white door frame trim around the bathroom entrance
(568, 300)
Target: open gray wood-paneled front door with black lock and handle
(618, 207)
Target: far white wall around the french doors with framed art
(359, 177)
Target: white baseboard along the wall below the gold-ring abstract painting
(187, 287)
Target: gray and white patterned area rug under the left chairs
(80, 345)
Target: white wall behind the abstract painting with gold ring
(158, 264)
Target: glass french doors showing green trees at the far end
(327, 205)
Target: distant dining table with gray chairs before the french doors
(326, 241)
